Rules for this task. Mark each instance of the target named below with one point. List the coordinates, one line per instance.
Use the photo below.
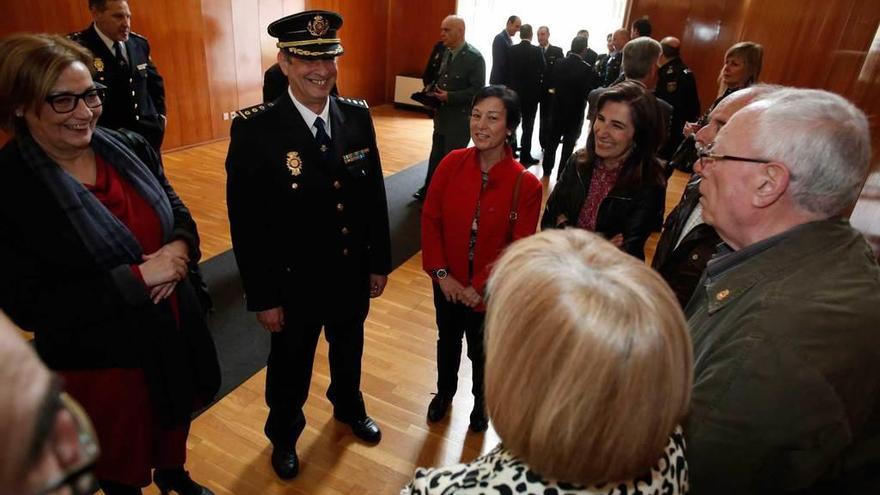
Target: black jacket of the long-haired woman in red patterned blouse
(633, 212)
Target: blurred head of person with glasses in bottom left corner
(47, 441)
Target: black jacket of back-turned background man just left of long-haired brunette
(571, 81)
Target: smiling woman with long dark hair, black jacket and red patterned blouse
(615, 186)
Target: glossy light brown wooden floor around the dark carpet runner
(227, 449)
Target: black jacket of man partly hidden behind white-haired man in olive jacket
(682, 266)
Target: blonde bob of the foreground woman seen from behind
(588, 358)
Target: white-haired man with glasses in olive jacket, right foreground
(786, 319)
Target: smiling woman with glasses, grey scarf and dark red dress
(94, 252)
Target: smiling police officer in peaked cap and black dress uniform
(309, 223)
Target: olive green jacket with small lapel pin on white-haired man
(787, 367)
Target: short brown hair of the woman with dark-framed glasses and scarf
(30, 64)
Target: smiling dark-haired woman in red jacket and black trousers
(480, 200)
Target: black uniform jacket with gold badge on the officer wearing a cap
(307, 233)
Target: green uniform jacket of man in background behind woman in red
(465, 75)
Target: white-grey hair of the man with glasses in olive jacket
(826, 146)
